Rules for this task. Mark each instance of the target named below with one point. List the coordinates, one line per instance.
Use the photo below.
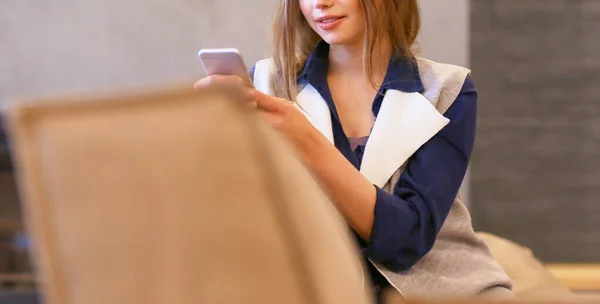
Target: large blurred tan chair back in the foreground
(175, 196)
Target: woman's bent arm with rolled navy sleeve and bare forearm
(401, 228)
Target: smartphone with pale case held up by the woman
(224, 62)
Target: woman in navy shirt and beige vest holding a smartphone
(387, 134)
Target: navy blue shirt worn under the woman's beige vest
(407, 221)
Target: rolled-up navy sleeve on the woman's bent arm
(407, 222)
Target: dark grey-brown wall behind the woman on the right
(536, 167)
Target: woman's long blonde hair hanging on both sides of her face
(293, 40)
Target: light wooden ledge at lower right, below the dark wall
(577, 277)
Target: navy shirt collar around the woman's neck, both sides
(402, 74)
